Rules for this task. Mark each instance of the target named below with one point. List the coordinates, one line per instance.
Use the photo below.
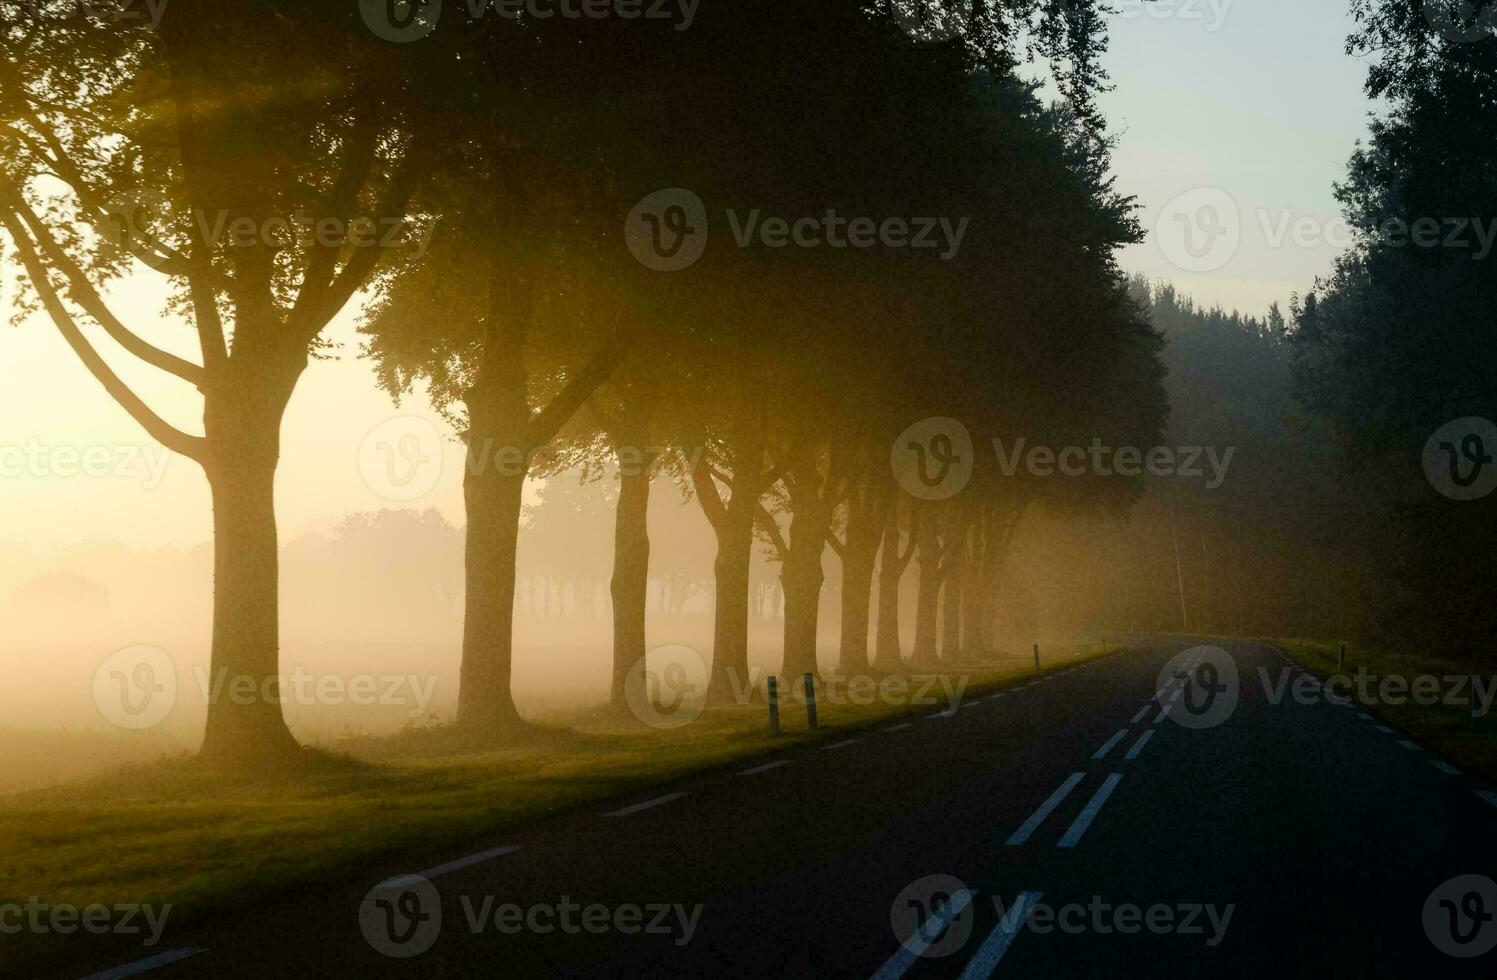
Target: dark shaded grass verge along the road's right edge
(1451, 731)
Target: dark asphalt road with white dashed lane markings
(1123, 825)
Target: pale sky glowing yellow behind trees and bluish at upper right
(1234, 119)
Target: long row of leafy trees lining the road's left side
(778, 379)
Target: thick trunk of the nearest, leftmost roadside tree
(245, 433)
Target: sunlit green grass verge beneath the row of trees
(212, 845)
